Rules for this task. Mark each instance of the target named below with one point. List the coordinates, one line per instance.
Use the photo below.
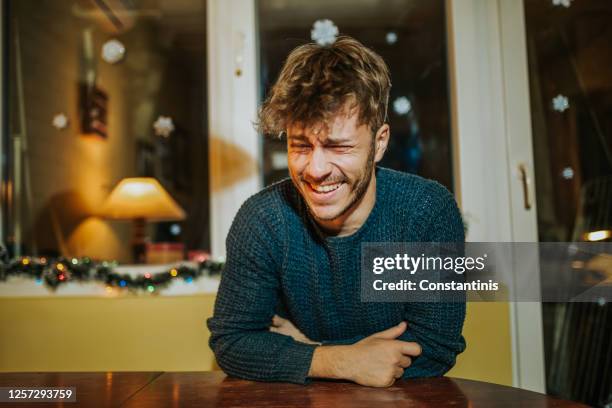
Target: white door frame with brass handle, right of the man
(492, 137)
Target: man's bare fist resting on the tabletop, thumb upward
(376, 361)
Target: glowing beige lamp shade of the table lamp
(141, 197)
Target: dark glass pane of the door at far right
(570, 82)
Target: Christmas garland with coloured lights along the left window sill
(59, 271)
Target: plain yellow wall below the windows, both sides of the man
(156, 333)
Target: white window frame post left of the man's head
(232, 108)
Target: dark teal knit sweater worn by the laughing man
(279, 262)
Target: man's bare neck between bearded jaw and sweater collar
(355, 217)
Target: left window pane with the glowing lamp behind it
(98, 92)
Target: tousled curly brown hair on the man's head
(319, 82)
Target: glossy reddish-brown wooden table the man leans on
(214, 389)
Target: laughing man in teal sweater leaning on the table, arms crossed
(288, 307)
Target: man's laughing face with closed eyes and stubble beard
(332, 166)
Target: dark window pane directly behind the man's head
(410, 35)
